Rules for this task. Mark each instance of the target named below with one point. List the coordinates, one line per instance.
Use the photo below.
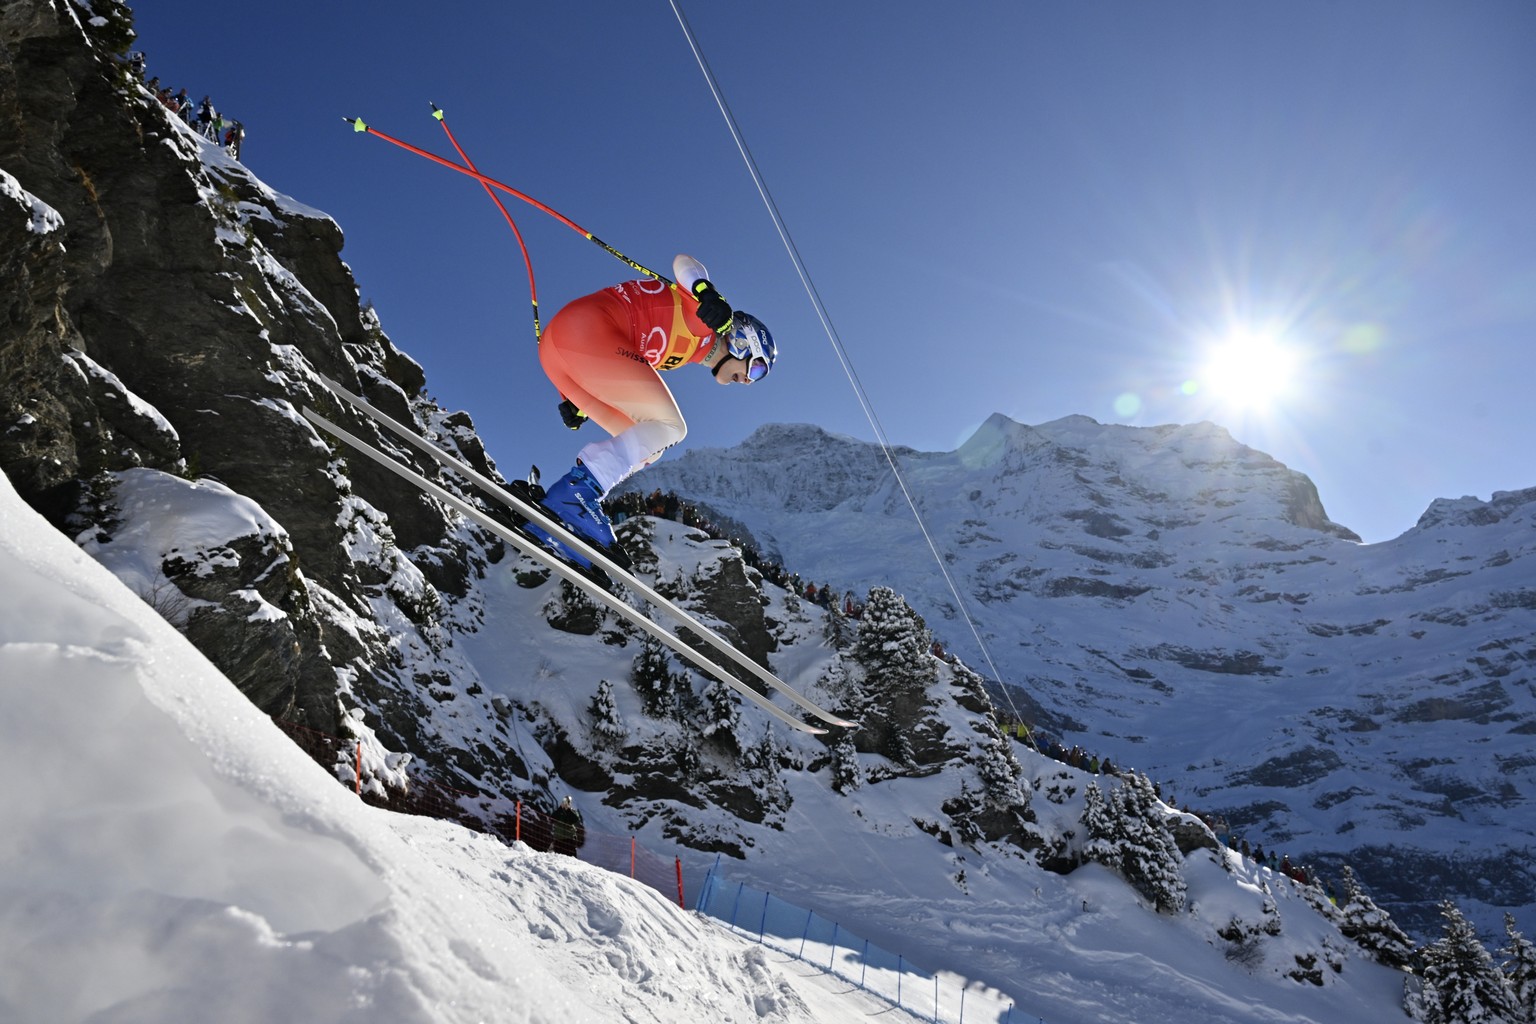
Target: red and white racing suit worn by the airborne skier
(604, 351)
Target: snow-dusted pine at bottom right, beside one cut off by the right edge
(1462, 983)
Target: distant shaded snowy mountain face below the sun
(1182, 603)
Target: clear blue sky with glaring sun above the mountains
(1028, 208)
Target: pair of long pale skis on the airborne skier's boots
(566, 570)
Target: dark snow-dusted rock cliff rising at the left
(162, 311)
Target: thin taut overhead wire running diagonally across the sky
(838, 345)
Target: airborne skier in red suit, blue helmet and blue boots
(604, 354)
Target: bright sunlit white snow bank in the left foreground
(170, 851)
